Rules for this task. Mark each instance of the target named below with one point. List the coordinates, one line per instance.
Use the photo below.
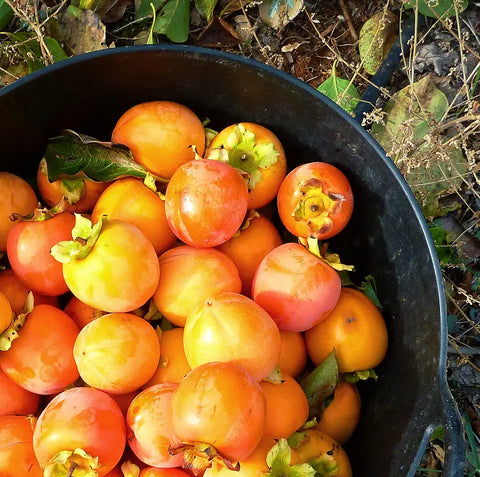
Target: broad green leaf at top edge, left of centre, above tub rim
(174, 20)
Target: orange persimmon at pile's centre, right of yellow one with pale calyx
(189, 275)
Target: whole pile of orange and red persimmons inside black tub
(154, 320)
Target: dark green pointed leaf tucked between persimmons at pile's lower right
(320, 384)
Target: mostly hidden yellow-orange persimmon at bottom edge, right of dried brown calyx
(255, 465)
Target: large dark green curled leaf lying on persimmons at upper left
(71, 153)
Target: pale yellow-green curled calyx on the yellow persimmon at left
(84, 236)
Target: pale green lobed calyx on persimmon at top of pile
(245, 154)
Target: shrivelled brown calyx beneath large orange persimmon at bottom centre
(198, 456)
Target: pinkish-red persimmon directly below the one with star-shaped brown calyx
(295, 287)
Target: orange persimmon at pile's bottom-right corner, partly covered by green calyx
(328, 453)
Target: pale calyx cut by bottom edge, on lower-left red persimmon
(75, 463)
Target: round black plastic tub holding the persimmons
(387, 236)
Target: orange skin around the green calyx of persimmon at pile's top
(267, 187)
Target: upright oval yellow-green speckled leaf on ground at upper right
(375, 40)
